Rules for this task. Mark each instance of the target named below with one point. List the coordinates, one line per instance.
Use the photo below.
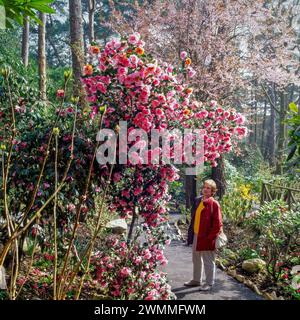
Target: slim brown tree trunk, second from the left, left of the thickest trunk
(42, 57)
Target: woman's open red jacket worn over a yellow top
(210, 224)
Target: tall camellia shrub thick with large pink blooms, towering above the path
(136, 88)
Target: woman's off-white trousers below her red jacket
(203, 261)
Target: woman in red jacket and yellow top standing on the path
(206, 224)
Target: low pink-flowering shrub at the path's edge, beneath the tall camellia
(131, 271)
